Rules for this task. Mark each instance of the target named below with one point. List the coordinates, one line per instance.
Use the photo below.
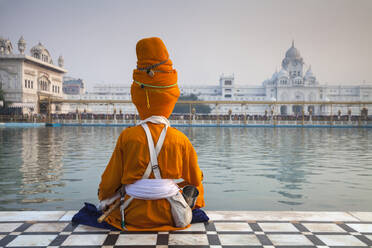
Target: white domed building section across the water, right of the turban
(289, 84)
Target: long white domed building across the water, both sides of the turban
(291, 83)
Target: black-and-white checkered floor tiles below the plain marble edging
(214, 234)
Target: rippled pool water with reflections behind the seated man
(244, 168)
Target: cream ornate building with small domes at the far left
(25, 79)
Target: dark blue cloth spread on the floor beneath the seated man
(89, 214)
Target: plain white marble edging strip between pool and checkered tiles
(213, 215)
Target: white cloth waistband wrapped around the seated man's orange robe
(152, 189)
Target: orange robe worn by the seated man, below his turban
(177, 159)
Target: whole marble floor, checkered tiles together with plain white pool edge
(225, 229)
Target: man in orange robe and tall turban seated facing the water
(154, 92)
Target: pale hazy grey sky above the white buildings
(204, 38)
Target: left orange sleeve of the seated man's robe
(111, 177)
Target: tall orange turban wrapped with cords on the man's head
(154, 90)
